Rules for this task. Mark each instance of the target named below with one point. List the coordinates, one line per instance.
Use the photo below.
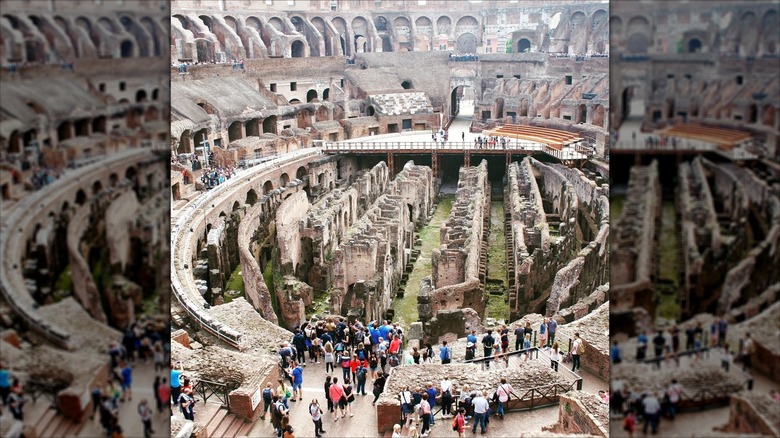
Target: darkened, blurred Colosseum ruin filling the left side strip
(84, 175)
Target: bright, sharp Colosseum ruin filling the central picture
(346, 176)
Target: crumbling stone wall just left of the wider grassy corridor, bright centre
(369, 263)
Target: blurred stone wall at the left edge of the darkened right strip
(633, 262)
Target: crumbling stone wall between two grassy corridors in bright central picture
(458, 267)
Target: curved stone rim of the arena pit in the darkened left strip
(14, 222)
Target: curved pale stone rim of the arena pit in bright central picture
(182, 281)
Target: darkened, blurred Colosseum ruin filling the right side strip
(695, 195)
